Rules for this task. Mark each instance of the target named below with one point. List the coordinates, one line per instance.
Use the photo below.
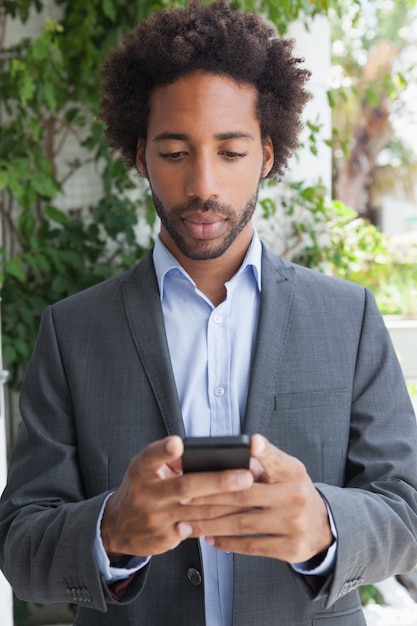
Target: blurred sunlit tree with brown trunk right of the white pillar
(373, 71)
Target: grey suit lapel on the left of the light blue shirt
(144, 314)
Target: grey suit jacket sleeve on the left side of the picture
(47, 519)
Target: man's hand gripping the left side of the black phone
(144, 516)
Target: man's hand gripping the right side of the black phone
(282, 515)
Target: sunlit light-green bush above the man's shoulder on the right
(303, 225)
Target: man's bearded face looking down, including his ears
(204, 159)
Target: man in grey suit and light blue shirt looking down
(211, 334)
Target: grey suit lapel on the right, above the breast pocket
(277, 298)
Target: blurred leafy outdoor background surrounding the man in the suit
(71, 214)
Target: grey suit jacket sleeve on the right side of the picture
(375, 513)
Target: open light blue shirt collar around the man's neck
(164, 262)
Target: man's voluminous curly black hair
(212, 38)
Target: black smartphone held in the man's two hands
(211, 454)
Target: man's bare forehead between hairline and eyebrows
(203, 103)
